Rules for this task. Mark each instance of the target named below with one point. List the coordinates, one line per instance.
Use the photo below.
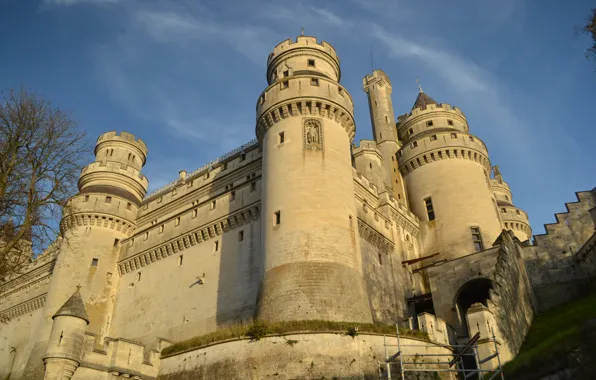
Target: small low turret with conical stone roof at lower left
(66, 343)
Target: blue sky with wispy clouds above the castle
(185, 75)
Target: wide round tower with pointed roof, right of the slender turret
(446, 170)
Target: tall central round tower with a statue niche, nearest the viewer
(305, 126)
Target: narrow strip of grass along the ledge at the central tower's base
(258, 330)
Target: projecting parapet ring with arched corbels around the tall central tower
(303, 96)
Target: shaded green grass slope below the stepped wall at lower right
(552, 333)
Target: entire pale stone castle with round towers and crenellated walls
(414, 227)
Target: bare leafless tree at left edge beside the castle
(40, 161)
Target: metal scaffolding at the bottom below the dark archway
(460, 351)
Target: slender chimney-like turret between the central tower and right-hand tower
(378, 88)
